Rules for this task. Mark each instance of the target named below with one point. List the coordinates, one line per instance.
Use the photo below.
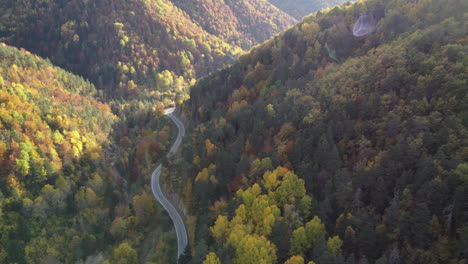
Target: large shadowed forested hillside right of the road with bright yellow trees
(343, 140)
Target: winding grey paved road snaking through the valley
(179, 225)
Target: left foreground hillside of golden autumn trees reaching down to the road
(60, 198)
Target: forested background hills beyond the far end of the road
(128, 46)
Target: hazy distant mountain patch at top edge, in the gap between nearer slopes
(302, 8)
